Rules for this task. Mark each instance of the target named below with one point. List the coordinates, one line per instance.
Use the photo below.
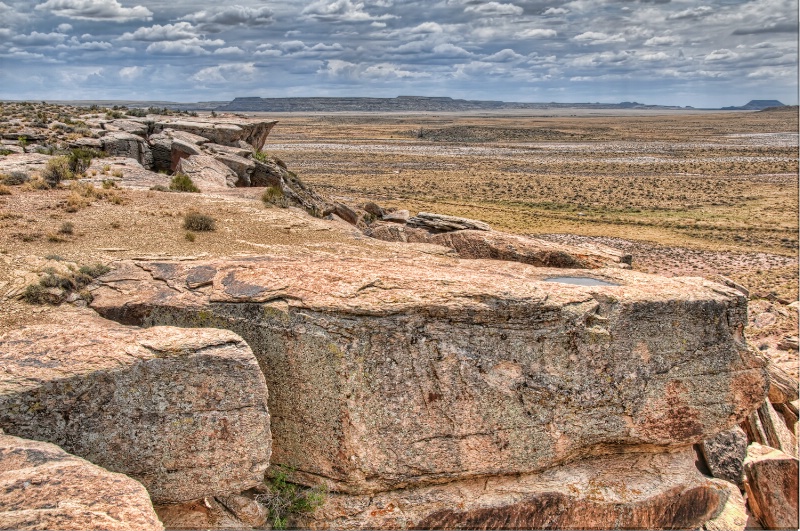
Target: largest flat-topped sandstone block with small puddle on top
(387, 373)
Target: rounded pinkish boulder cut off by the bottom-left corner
(43, 487)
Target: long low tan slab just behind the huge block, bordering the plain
(500, 246)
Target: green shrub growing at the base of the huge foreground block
(285, 499)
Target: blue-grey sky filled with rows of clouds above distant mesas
(670, 52)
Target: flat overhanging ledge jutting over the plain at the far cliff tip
(225, 131)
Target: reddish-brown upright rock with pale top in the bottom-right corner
(772, 486)
